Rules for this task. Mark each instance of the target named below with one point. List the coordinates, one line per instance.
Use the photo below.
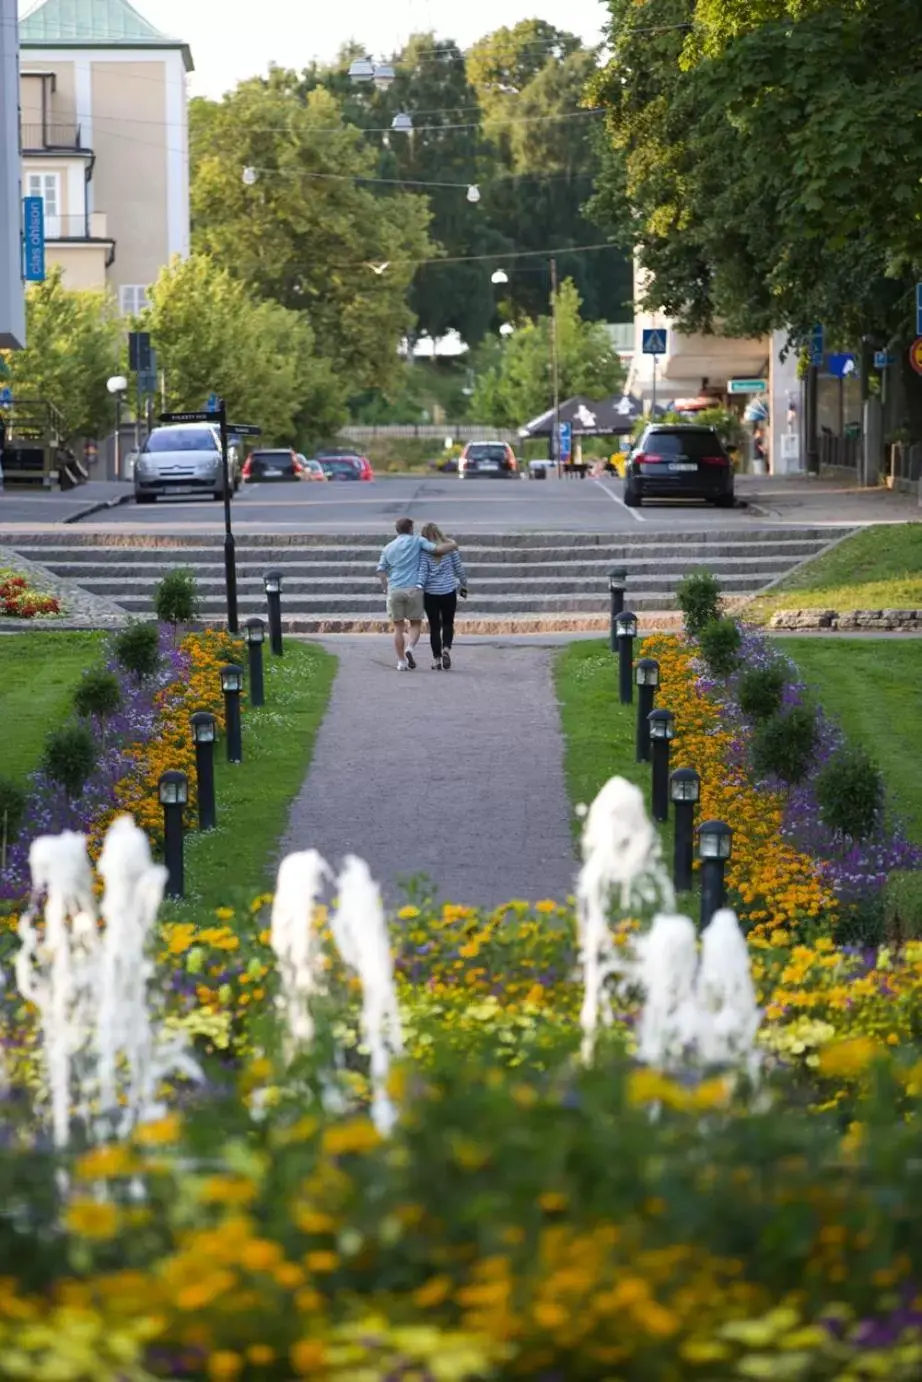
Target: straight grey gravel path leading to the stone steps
(453, 775)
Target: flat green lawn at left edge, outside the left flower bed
(38, 675)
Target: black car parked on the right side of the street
(679, 462)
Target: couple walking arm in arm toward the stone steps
(422, 574)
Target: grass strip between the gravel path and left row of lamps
(230, 866)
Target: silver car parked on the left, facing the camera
(185, 460)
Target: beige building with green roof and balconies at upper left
(104, 121)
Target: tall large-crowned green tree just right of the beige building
(308, 233)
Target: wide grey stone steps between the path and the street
(529, 580)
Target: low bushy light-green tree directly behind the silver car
(211, 334)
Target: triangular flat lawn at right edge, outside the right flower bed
(873, 690)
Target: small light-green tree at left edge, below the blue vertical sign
(74, 345)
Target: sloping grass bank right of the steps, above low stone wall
(878, 569)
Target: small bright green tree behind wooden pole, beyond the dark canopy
(518, 384)
